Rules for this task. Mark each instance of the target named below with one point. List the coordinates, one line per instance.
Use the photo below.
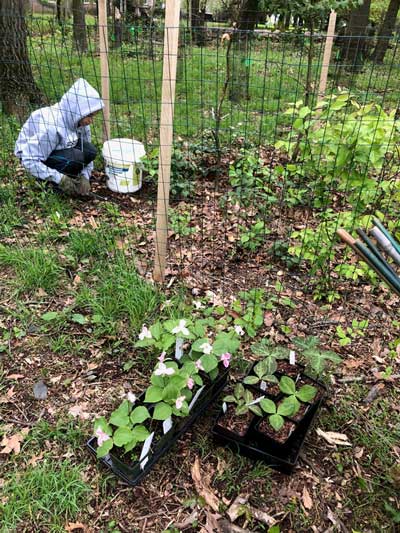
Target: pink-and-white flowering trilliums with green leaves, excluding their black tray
(188, 353)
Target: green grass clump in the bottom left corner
(43, 498)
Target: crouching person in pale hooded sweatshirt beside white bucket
(54, 143)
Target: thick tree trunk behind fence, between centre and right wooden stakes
(240, 61)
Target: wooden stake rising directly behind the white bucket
(104, 73)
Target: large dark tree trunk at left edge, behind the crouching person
(17, 86)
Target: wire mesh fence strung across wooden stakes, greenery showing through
(264, 171)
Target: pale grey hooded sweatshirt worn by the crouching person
(55, 128)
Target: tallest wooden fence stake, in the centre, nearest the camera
(171, 37)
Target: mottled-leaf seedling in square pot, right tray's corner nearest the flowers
(239, 409)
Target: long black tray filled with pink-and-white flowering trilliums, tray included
(189, 374)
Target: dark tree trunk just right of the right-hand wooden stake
(355, 41)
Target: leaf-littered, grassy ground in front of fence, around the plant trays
(59, 269)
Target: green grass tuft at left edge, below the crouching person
(33, 268)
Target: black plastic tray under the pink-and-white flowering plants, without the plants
(133, 474)
